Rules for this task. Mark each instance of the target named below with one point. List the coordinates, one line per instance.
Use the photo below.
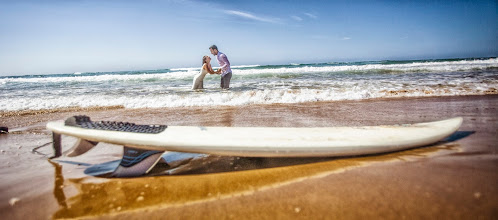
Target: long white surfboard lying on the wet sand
(258, 141)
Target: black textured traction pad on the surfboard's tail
(84, 121)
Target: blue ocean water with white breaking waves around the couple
(253, 84)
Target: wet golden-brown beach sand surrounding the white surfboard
(455, 179)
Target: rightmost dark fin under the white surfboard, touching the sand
(136, 162)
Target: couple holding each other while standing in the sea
(224, 70)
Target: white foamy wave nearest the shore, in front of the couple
(215, 97)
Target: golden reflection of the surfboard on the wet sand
(215, 180)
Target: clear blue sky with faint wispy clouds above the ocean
(55, 36)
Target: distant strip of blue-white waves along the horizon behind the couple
(273, 70)
